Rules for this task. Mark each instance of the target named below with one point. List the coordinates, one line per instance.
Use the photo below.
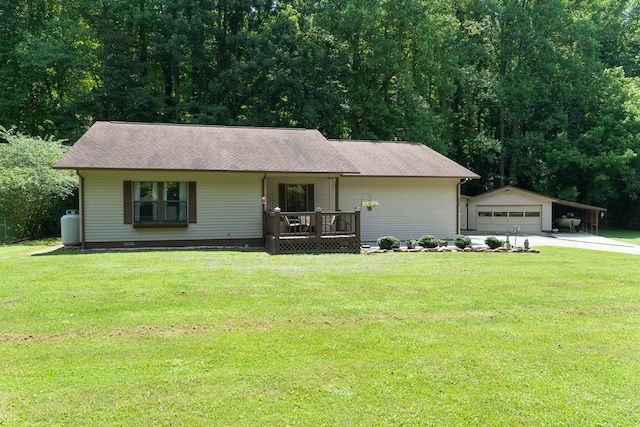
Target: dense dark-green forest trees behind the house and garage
(542, 94)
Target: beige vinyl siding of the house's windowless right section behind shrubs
(409, 207)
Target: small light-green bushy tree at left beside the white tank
(31, 191)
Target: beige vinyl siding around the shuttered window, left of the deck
(228, 206)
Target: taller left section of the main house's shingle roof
(113, 145)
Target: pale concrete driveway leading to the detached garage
(569, 240)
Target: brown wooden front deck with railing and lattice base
(315, 232)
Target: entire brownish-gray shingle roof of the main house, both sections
(145, 146)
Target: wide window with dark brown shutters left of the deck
(150, 203)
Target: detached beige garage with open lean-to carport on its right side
(504, 209)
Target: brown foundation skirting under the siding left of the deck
(230, 243)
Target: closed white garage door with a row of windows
(504, 219)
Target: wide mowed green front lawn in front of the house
(201, 338)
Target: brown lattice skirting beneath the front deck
(303, 244)
